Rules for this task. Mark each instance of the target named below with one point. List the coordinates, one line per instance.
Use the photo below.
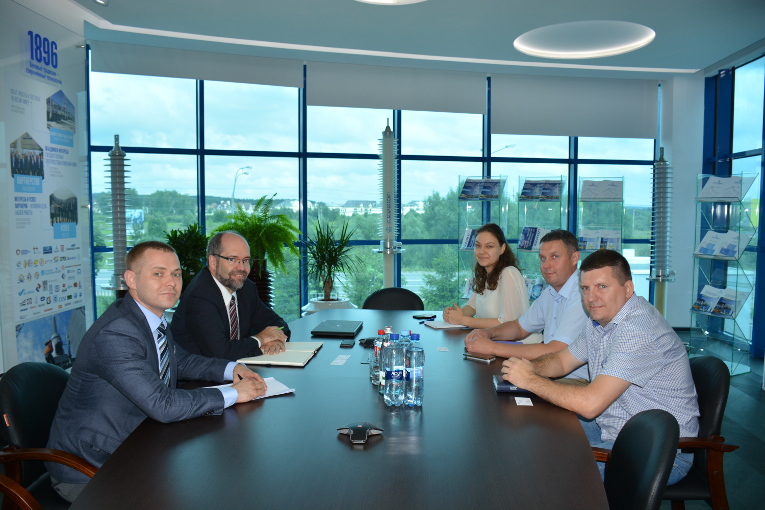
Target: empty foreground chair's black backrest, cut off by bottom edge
(641, 461)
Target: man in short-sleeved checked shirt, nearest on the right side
(636, 360)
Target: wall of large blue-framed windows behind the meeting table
(157, 119)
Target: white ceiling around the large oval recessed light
(471, 35)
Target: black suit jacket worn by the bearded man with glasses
(200, 324)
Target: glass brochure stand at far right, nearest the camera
(724, 269)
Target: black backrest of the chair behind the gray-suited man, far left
(29, 395)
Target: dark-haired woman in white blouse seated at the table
(499, 290)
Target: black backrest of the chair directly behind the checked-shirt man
(712, 379)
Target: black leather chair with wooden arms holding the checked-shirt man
(706, 479)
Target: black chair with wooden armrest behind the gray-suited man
(29, 395)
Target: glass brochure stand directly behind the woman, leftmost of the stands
(476, 194)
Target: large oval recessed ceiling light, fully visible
(584, 39)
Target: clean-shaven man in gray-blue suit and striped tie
(128, 366)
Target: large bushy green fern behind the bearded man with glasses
(268, 235)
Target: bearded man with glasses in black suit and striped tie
(220, 314)
